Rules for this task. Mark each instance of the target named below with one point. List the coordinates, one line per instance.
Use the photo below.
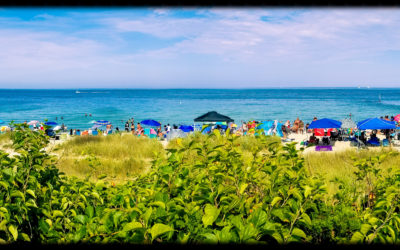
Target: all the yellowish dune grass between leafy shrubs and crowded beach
(122, 158)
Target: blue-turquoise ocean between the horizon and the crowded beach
(181, 106)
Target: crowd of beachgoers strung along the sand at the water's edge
(246, 128)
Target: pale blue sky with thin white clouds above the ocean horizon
(199, 47)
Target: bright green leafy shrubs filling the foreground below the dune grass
(217, 199)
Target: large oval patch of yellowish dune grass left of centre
(118, 157)
